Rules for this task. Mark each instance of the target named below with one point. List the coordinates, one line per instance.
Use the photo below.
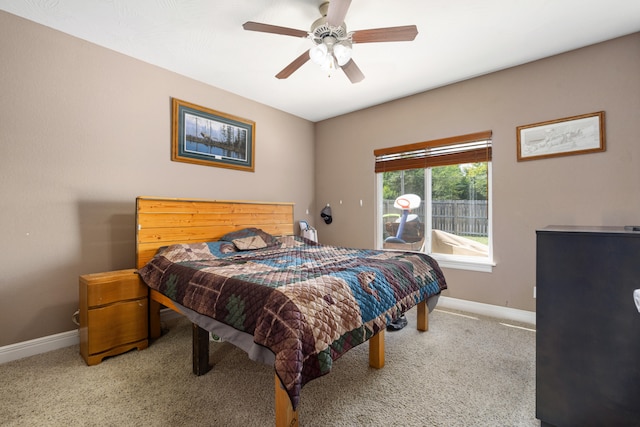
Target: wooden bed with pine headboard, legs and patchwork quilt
(236, 269)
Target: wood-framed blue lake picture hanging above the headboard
(207, 137)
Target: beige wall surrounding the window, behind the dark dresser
(593, 189)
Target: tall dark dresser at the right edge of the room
(588, 327)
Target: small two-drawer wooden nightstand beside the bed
(113, 314)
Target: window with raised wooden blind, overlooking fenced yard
(434, 196)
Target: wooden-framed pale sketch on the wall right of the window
(562, 137)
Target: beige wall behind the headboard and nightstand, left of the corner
(83, 131)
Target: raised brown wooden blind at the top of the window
(471, 148)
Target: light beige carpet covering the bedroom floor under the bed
(462, 372)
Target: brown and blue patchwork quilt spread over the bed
(308, 303)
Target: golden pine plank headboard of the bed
(165, 221)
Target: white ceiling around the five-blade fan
(457, 40)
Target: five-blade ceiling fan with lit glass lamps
(331, 42)
